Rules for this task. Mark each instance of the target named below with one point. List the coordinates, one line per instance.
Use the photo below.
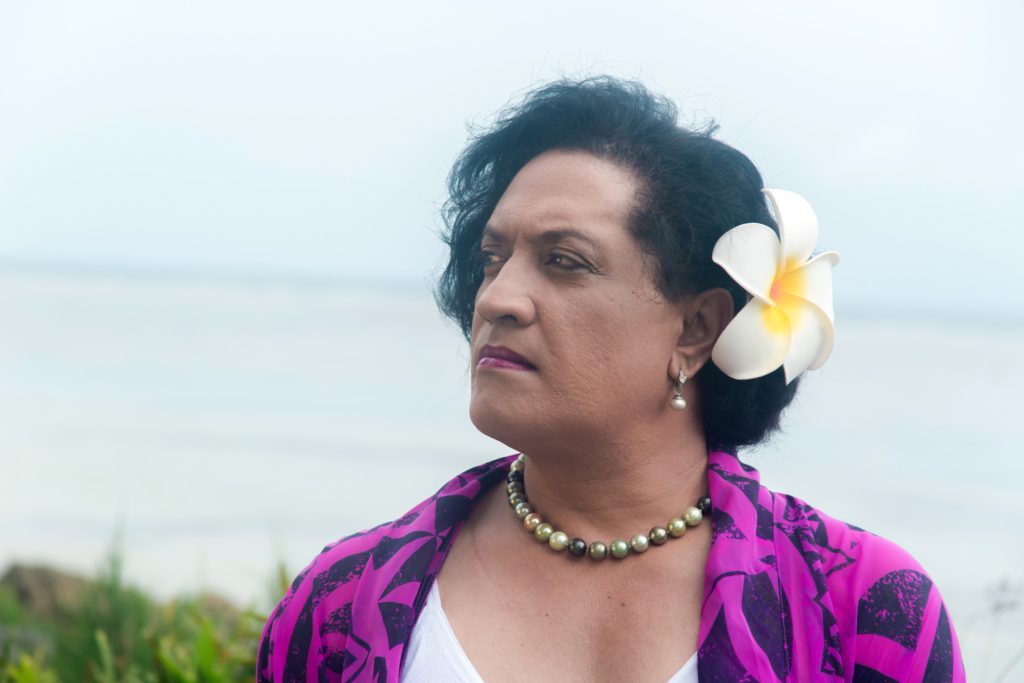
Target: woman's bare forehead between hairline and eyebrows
(567, 189)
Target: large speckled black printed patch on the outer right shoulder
(894, 606)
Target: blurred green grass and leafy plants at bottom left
(118, 634)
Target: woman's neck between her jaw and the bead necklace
(608, 489)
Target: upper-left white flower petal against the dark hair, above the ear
(750, 253)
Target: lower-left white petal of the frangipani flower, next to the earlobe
(755, 344)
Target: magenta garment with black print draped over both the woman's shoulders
(791, 594)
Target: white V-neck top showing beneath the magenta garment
(435, 653)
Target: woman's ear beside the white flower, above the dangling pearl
(704, 317)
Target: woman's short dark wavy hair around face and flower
(694, 190)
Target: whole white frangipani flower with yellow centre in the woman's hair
(789, 321)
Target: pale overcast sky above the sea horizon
(314, 138)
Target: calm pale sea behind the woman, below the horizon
(225, 426)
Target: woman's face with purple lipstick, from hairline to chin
(568, 288)
